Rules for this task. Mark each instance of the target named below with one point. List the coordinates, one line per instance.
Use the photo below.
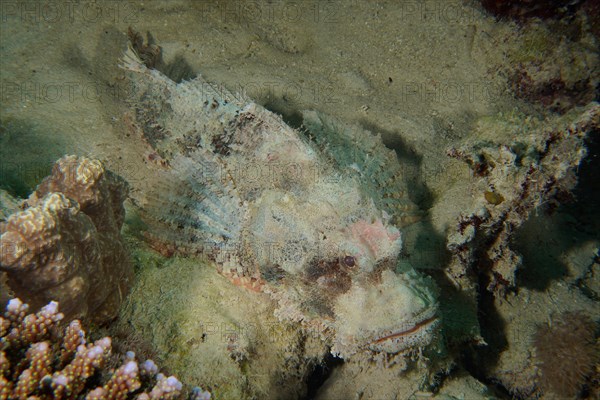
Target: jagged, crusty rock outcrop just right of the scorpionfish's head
(535, 170)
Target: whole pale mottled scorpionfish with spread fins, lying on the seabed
(307, 220)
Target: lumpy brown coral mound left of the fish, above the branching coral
(65, 245)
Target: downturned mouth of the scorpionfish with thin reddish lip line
(415, 334)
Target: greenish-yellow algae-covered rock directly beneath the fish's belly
(212, 332)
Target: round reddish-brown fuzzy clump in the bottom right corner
(567, 353)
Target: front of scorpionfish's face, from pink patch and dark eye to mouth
(374, 308)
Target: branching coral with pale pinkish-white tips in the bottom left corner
(37, 361)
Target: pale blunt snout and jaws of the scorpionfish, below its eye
(392, 313)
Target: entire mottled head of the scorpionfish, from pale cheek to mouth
(343, 274)
